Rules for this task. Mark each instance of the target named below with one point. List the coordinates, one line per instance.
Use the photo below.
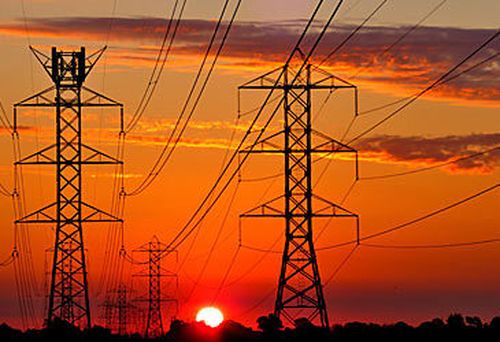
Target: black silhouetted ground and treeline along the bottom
(455, 328)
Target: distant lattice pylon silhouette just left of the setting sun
(156, 251)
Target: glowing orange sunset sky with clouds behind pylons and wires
(381, 285)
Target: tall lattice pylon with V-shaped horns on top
(68, 70)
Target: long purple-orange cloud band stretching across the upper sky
(420, 58)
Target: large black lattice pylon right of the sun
(300, 290)
